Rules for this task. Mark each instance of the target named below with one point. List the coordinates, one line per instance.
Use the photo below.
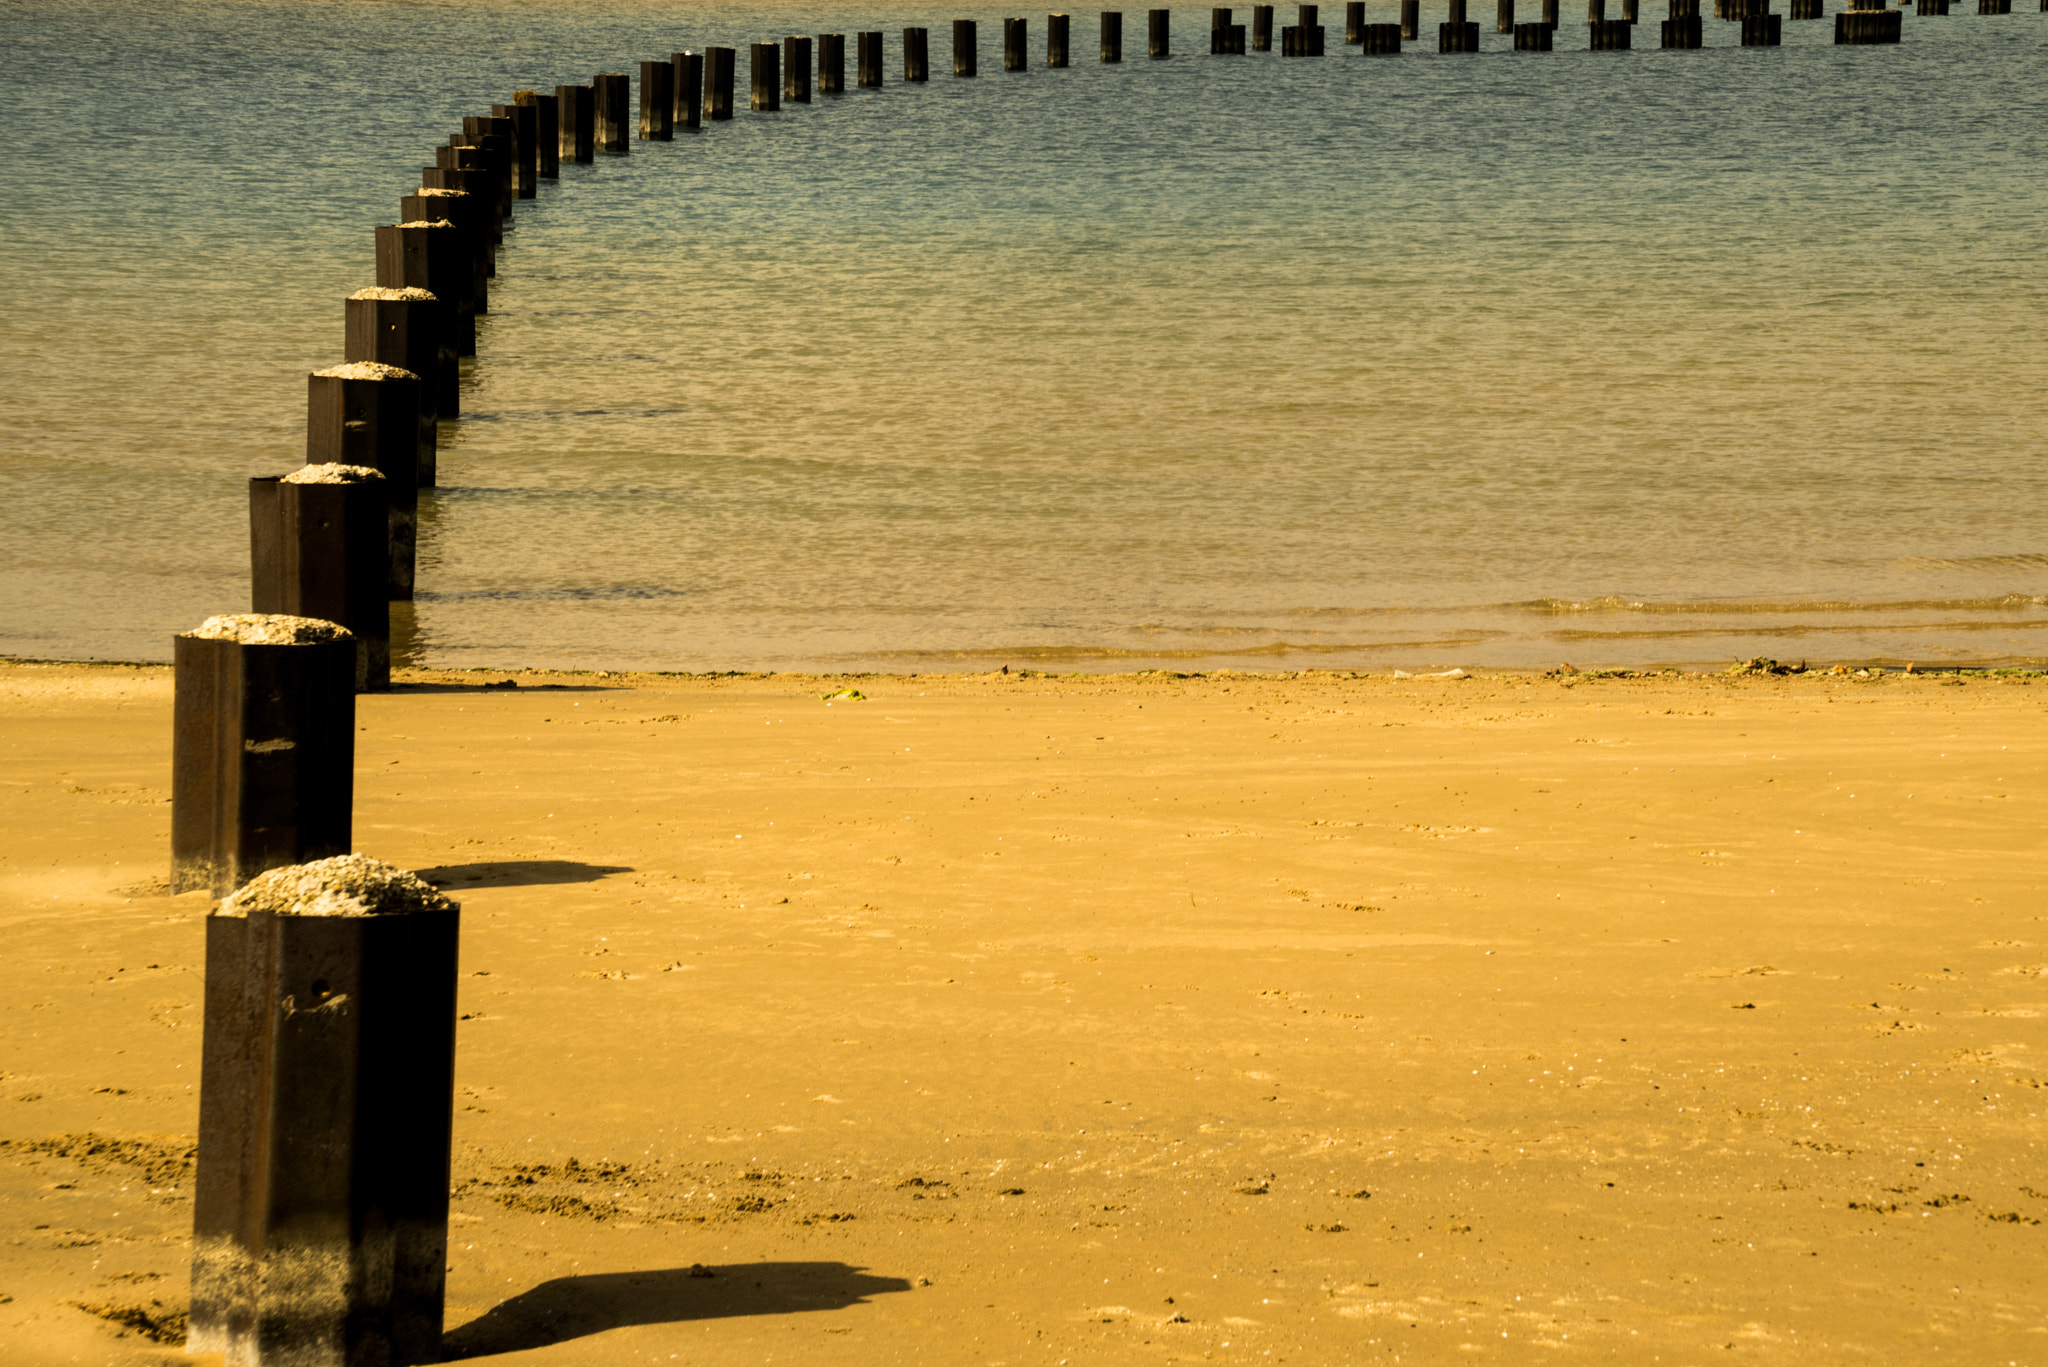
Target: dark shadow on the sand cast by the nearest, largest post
(581, 1307)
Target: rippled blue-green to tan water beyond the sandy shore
(1218, 362)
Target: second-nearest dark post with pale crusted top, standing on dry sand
(263, 749)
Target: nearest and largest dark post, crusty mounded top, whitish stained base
(327, 1102)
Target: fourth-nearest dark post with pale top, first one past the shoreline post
(370, 415)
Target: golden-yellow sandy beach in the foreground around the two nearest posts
(1125, 1020)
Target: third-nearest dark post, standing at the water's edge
(318, 548)
